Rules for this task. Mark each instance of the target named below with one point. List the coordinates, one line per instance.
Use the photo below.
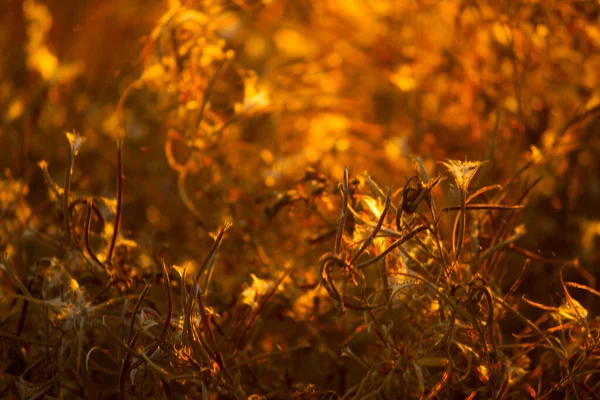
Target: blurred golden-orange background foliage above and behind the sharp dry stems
(226, 107)
